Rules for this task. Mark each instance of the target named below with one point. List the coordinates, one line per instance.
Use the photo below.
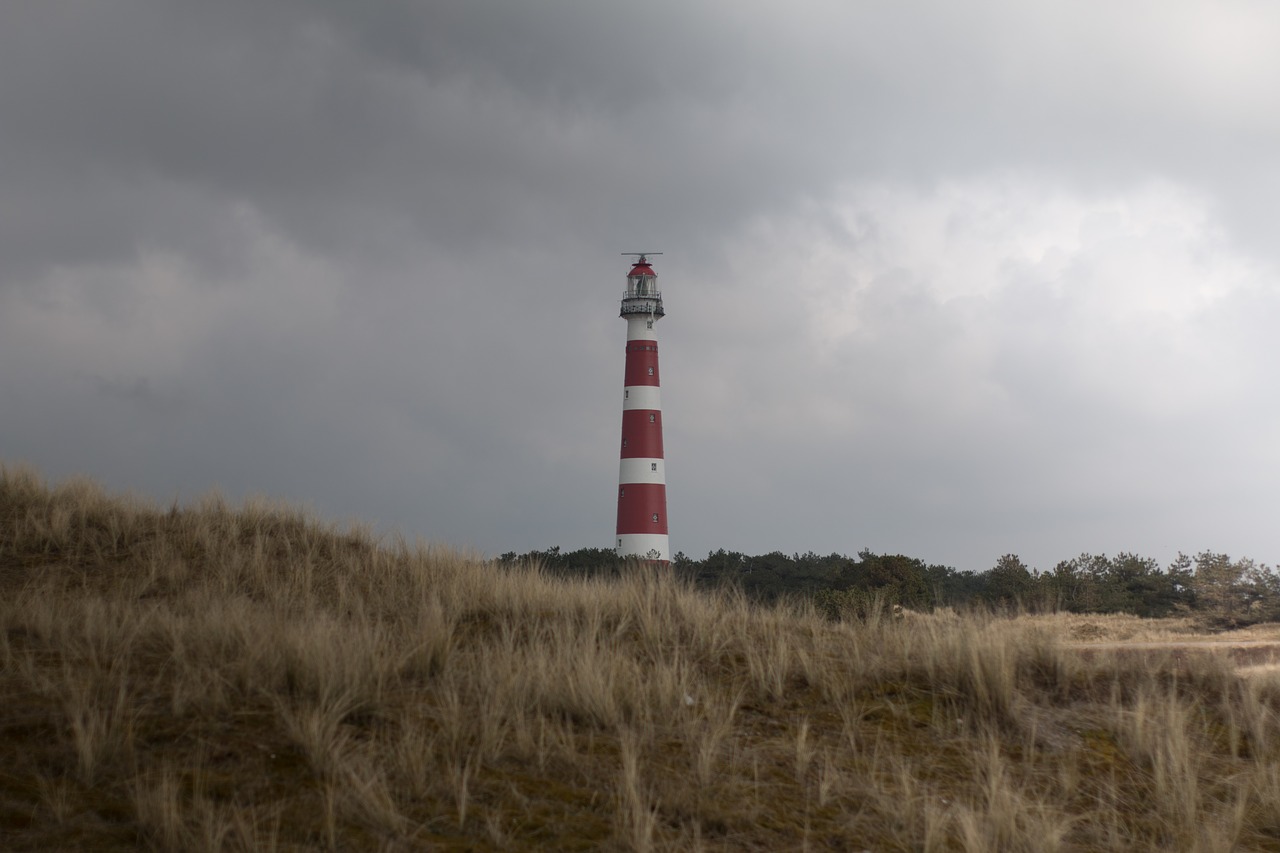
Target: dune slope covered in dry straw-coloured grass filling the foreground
(217, 678)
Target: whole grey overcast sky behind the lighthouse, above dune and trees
(950, 280)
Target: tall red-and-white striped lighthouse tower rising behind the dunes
(642, 475)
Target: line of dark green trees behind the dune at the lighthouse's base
(1214, 586)
